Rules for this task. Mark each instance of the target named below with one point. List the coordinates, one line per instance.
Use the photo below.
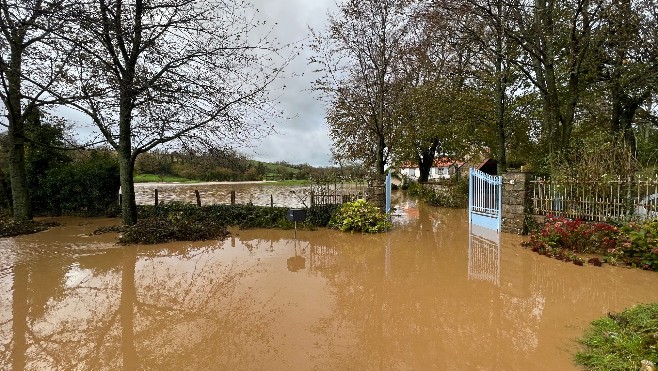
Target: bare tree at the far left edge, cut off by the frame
(31, 61)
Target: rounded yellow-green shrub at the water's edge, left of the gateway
(360, 216)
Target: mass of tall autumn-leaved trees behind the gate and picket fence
(546, 83)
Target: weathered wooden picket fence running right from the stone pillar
(633, 198)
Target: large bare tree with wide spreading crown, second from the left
(155, 71)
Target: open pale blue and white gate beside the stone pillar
(484, 199)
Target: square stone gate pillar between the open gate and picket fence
(516, 206)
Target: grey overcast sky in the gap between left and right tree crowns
(304, 137)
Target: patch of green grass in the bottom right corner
(621, 341)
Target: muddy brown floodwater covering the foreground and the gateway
(429, 295)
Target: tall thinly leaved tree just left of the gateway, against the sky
(359, 56)
